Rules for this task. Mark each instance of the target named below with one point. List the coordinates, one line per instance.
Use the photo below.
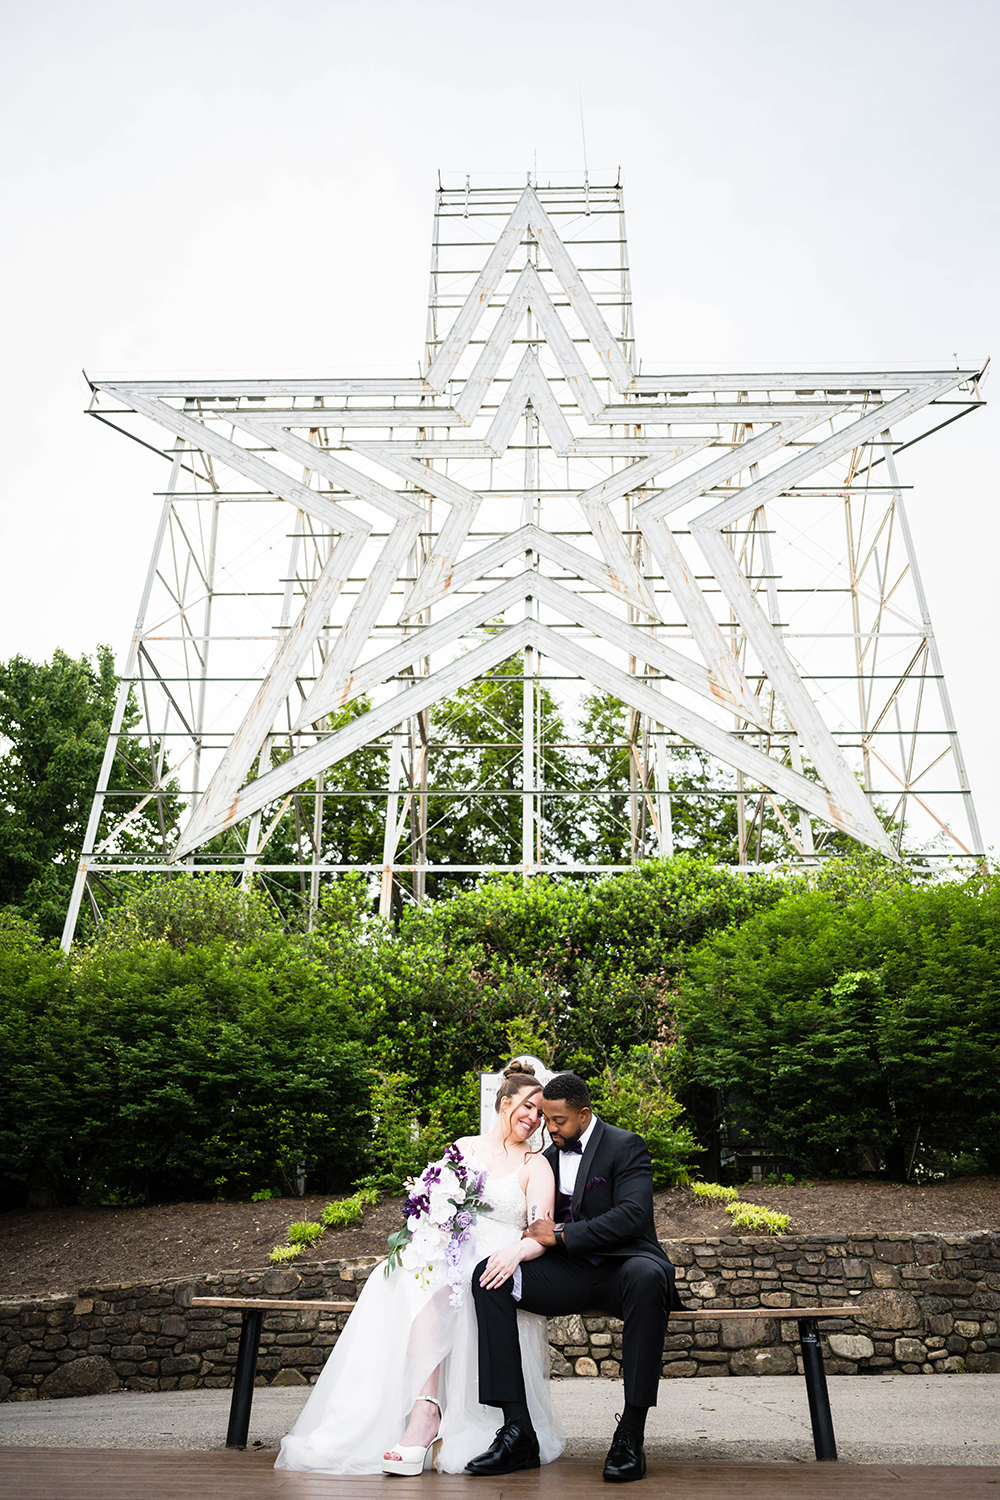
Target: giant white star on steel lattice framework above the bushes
(725, 554)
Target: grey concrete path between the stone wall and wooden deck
(879, 1420)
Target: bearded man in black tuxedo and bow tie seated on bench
(602, 1253)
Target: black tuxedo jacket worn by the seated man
(612, 1199)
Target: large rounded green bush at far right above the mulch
(846, 1027)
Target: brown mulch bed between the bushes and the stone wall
(62, 1250)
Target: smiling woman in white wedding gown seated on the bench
(410, 1352)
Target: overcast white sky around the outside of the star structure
(247, 187)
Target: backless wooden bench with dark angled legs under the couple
(254, 1310)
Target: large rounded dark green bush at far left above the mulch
(154, 1072)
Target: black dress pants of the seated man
(639, 1291)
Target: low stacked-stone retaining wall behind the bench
(926, 1304)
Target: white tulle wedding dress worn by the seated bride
(398, 1334)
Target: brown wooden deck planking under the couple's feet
(107, 1474)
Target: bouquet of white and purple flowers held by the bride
(443, 1207)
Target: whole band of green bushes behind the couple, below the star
(197, 1049)
